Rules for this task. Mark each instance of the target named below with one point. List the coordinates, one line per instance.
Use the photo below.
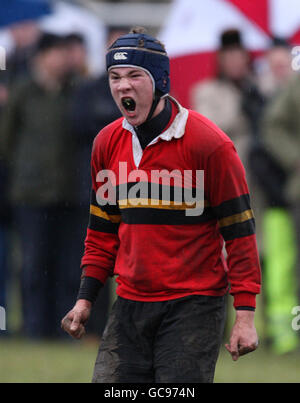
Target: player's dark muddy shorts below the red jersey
(175, 341)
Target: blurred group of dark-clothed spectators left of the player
(51, 110)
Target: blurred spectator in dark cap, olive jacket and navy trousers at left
(39, 152)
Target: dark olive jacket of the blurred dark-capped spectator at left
(35, 143)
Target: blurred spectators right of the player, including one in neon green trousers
(257, 104)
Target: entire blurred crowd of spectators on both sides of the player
(51, 109)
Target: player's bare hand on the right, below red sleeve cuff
(243, 337)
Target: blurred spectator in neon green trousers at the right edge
(281, 135)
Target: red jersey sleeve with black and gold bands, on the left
(102, 241)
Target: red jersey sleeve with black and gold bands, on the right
(230, 200)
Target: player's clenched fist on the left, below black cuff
(73, 323)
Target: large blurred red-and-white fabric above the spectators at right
(192, 31)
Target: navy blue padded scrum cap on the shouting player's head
(144, 51)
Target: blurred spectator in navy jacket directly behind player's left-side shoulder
(93, 108)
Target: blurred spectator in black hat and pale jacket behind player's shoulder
(232, 101)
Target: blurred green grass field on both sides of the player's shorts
(72, 362)
